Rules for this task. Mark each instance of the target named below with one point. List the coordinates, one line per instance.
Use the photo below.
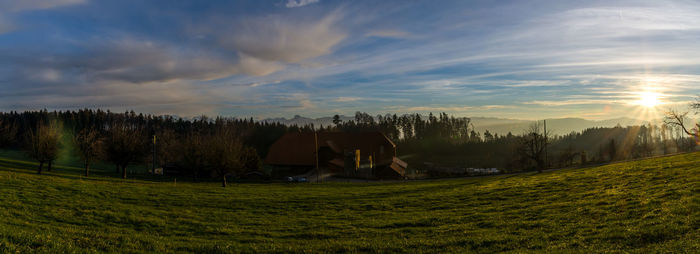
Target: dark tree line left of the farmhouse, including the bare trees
(200, 147)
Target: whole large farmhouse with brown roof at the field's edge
(368, 155)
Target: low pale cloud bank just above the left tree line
(173, 98)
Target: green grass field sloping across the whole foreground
(644, 206)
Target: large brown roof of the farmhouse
(297, 148)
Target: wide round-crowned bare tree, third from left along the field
(124, 145)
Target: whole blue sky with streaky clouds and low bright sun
(280, 58)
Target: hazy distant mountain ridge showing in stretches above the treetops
(501, 126)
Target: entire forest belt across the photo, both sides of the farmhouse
(204, 147)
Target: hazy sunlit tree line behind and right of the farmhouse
(450, 140)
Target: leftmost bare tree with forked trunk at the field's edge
(43, 144)
